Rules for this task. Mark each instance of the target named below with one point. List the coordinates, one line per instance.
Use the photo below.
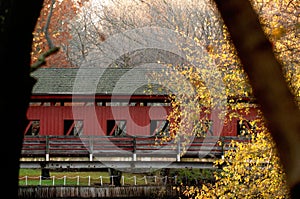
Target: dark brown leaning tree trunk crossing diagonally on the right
(266, 77)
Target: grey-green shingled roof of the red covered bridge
(95, 81)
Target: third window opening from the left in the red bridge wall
(116, 127)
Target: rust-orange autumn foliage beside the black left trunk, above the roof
(52, 30)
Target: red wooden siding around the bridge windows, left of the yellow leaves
(95, 118)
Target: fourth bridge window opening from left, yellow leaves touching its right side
(159, 127)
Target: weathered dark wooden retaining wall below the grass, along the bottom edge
(76, 192)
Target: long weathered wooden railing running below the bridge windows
(108, 146)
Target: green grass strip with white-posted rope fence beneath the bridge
(101, 177)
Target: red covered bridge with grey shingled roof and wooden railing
(90, 116)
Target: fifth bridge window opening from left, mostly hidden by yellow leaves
(203, 128)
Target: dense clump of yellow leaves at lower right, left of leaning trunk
(249, 170)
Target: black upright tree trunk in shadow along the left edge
(17, 22)
